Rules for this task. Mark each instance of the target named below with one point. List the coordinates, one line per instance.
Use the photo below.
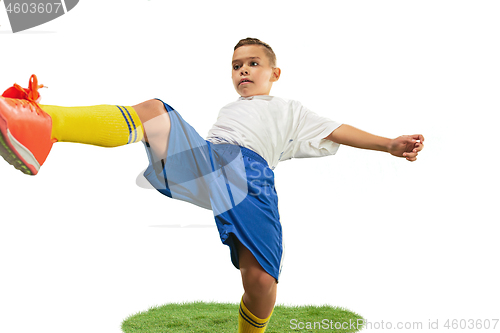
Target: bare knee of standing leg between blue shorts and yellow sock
(260, 287)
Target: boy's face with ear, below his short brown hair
(252, 73)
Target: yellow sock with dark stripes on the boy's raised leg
(100, 125)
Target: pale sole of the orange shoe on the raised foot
(15, 153)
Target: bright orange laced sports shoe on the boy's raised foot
(25, 129)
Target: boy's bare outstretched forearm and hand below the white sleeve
(406, 146)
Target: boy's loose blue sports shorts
(234, 182)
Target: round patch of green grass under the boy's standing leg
(201, 317)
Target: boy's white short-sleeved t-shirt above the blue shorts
(275, 128)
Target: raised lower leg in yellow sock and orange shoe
(28, 130)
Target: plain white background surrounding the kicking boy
(82, 246)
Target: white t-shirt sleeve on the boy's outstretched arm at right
(311, 130)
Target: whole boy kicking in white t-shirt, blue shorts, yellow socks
(230, 173)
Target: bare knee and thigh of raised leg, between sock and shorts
(156, 125)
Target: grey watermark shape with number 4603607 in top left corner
(26, 14)
